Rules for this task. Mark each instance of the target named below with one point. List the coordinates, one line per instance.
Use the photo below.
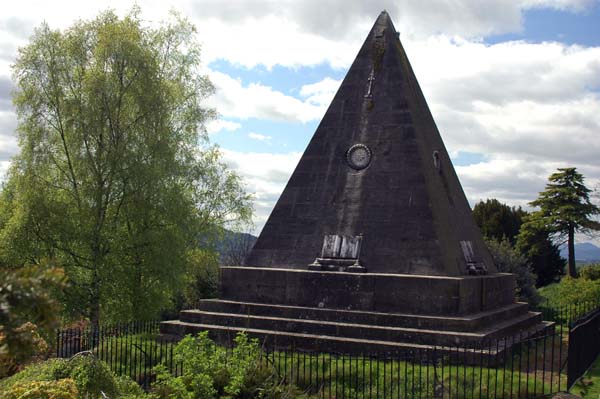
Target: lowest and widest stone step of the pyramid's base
(332, 344)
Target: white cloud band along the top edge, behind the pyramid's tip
(290, 32)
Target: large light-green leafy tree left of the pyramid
(115, 180)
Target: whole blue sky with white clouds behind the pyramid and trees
(514, 85)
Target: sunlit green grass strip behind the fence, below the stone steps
(352, 377)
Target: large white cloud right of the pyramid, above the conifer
(533, 102)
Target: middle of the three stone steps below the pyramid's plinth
(361, 331)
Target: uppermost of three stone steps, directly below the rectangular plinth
(466, 323)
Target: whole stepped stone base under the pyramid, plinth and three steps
(303, 310)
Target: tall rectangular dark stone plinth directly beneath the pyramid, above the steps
(414, 294)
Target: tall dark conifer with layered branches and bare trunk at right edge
(565, 208)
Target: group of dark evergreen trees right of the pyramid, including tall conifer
(534, 238)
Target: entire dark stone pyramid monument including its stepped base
(372, 244)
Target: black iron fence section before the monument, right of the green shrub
(511, 368)
